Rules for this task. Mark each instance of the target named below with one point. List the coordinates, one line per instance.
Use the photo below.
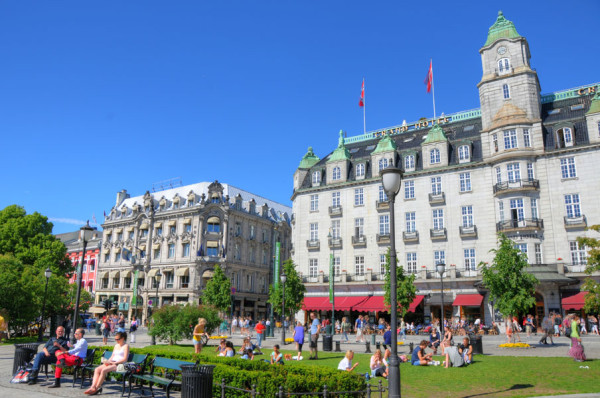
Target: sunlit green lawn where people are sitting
(488, 376)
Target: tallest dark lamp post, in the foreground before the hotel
(392, 179)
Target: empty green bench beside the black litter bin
(162, 371)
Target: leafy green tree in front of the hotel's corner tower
(511, 287)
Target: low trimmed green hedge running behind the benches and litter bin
(242, 373)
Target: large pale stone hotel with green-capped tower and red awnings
(523, 164)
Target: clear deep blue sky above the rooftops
(99, 96)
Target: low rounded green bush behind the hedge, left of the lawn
(173, 323)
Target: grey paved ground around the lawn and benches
(490, 347)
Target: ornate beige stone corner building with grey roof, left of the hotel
(183, 233)
